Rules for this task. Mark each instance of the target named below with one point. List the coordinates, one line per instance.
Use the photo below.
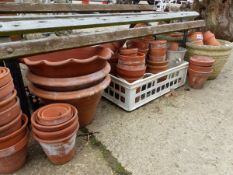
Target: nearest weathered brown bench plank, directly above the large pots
(30, 47)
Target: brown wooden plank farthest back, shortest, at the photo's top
(61, 8)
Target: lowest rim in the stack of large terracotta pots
(52, 95)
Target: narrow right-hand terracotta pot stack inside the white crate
(157, 61)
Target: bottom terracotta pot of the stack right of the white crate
(197, 79)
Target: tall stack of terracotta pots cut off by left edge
(13, 126)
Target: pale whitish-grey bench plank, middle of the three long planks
(50, 25)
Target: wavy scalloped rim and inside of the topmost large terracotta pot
(61, 59)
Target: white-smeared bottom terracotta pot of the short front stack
(59, 151)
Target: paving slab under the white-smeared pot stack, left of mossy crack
(87, 161)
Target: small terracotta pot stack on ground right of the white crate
(200, 68)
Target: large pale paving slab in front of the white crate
(186, 134)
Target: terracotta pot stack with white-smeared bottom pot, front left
(55, 127)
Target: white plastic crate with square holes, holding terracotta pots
(130, 96)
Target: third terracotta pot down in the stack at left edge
(8, 101)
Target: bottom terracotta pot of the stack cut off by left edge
(13, 158)
